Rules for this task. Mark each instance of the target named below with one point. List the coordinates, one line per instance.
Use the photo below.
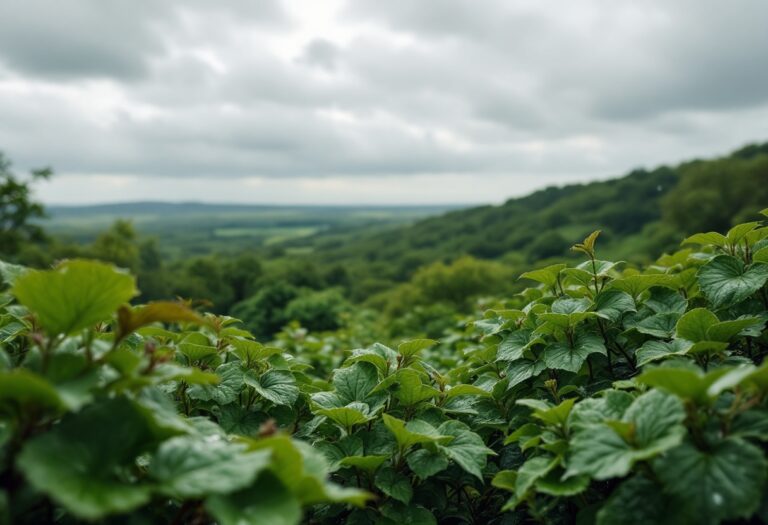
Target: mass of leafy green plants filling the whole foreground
(600, 395)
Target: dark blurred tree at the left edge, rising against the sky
(18, 210)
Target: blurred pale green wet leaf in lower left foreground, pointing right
(190, 467)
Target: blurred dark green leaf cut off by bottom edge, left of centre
(266, 501)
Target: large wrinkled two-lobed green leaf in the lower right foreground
(655, 421)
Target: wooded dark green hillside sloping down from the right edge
(643, 212)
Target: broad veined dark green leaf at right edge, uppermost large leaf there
(726, 281)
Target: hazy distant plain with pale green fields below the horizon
(193, 228)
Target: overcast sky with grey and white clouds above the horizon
(371, 101)
